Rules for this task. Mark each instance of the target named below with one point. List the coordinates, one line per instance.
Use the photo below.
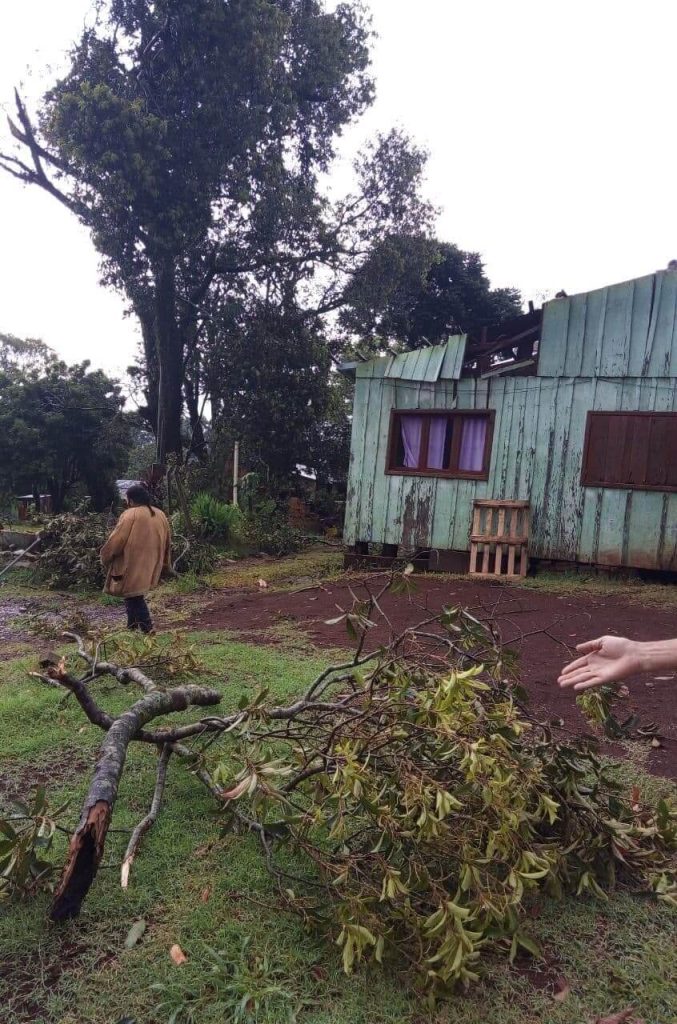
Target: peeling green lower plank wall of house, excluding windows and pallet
(537, 456)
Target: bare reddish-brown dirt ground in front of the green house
(568, 619)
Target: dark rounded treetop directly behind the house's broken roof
(416, 291)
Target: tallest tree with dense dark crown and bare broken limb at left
(191, 137)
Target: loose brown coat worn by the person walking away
(137, 552)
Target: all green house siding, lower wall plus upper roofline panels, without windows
(612, 350)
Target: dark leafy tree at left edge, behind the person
(61, 426)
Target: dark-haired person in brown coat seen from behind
(137, 554)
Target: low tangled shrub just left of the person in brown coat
(69, 551)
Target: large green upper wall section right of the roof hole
(627, 330)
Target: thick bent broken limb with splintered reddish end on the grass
(87, 847)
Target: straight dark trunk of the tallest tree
(170, 348)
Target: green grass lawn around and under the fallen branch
(199, 890)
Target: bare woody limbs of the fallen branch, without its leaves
(343, 714)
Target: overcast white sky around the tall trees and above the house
(551, 127)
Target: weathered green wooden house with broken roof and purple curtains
(572, 409)
